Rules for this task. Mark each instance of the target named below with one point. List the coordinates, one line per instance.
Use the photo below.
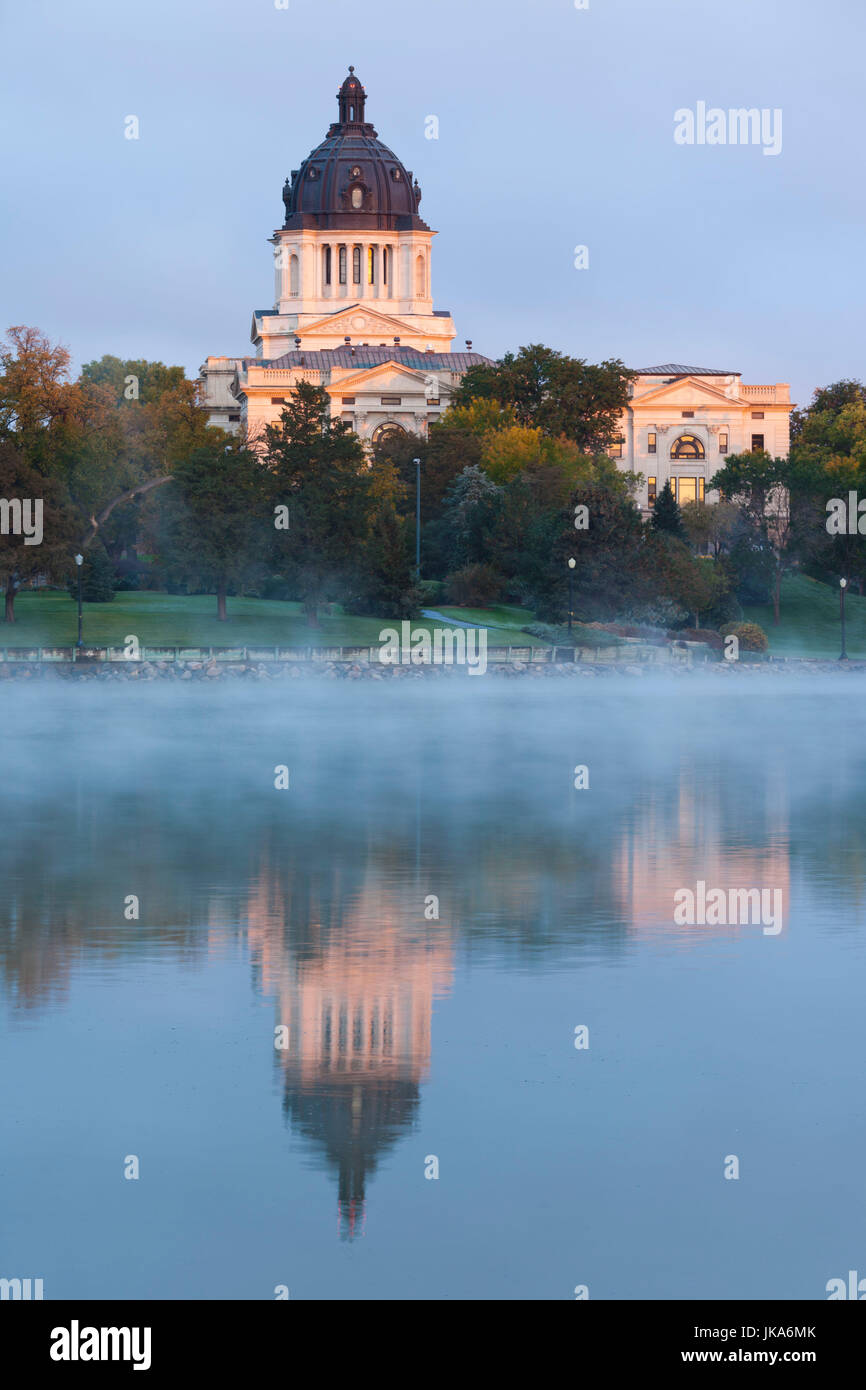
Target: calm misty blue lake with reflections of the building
(412, 1038)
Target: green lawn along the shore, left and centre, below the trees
(51, 619)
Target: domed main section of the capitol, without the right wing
(354, 308)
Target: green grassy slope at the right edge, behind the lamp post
(810, 621)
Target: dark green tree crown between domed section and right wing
(553, 393)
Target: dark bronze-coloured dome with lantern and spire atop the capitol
(352, 181)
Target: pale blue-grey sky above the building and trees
(555, 130)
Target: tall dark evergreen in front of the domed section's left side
(319, 471)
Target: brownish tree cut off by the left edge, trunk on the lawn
(40, 507)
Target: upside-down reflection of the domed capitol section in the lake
(358, 1008)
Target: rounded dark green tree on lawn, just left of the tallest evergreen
(218, 523)
